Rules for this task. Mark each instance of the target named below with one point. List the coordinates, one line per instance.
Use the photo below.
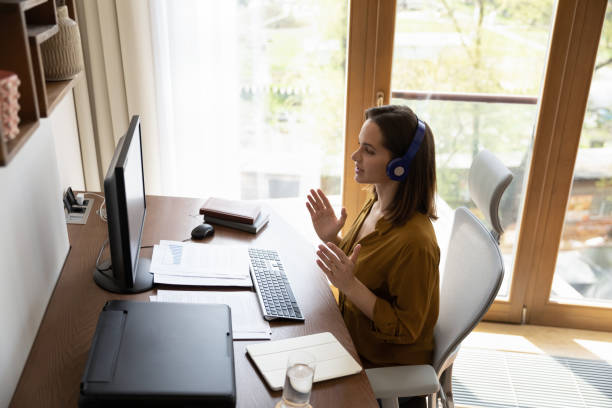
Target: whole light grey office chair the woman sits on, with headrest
(473, 274)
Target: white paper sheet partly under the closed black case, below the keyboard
(247, 320)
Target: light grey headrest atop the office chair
(488, 179)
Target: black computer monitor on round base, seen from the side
(126, 207)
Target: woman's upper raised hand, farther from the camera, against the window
(324, 220)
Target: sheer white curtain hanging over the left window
(197, 96)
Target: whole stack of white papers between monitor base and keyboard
(187, 263)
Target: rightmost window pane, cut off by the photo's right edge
(583, 272)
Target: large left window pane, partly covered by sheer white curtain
(251, 96)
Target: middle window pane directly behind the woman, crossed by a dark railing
(472, 70)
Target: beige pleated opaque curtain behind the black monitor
(118, 55)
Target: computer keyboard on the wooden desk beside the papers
(273, 289)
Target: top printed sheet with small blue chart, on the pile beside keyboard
(200, 260)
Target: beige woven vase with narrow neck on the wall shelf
(62, 54)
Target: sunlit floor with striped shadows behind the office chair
(505, 365)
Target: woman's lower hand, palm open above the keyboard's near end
(339, 268)
